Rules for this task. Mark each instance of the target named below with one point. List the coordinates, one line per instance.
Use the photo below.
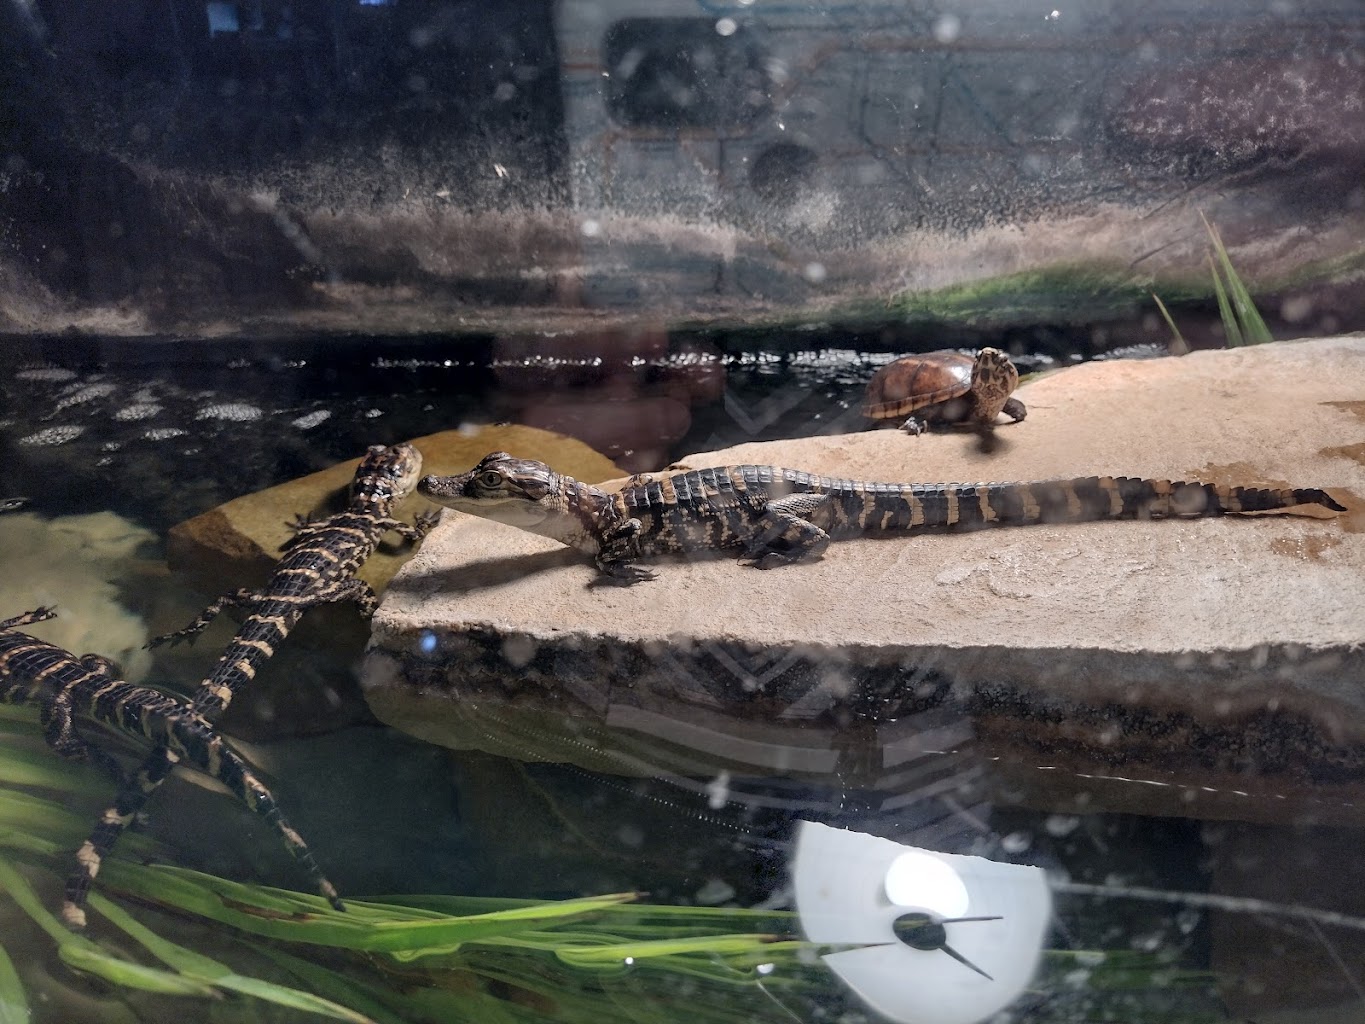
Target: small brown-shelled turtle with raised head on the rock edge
(945, 388)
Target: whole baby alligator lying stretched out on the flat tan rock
(777, 517)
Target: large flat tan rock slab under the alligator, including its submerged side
(1240, 638)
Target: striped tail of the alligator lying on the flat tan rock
(1075, 502)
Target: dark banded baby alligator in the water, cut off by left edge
(35, 672)
